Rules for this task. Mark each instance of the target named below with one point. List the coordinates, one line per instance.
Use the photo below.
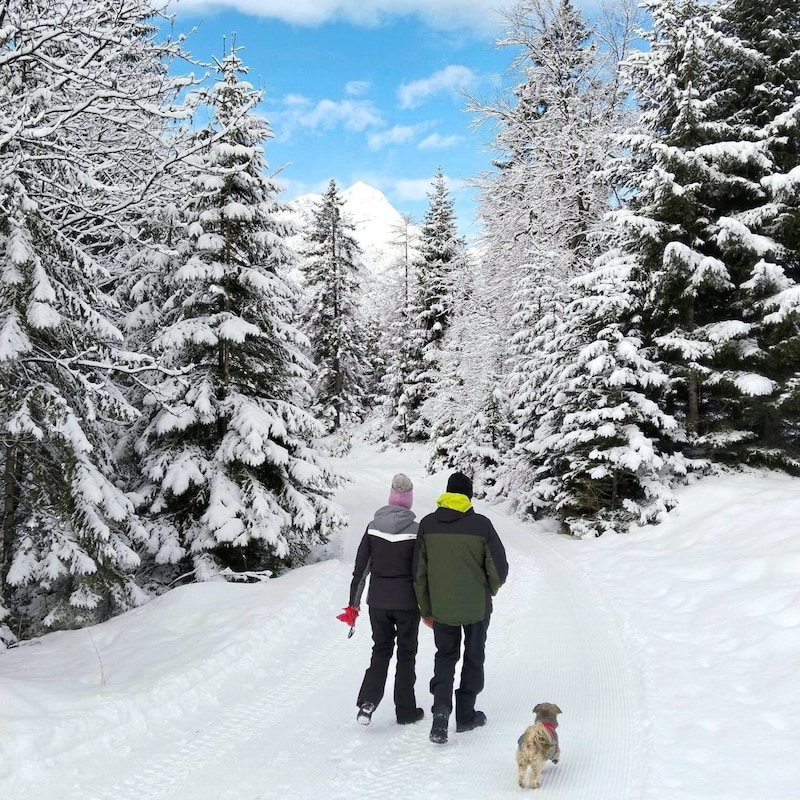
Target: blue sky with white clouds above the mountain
(365, 90)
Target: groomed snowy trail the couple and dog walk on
(285, 696)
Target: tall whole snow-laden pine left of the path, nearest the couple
(232, 479)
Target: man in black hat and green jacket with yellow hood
(459, 565)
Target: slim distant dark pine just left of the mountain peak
(333, 320)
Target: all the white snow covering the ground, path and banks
(673, 653)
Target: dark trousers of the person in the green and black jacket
(448, 651)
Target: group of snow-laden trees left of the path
(156, 390)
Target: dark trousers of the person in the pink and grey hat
(388, 626)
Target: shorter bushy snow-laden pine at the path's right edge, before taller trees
(601, 456)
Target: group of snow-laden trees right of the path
(634, 318)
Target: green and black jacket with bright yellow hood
(459, 563)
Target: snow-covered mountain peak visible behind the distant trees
(378, 225)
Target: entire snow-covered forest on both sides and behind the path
(170, 363)
